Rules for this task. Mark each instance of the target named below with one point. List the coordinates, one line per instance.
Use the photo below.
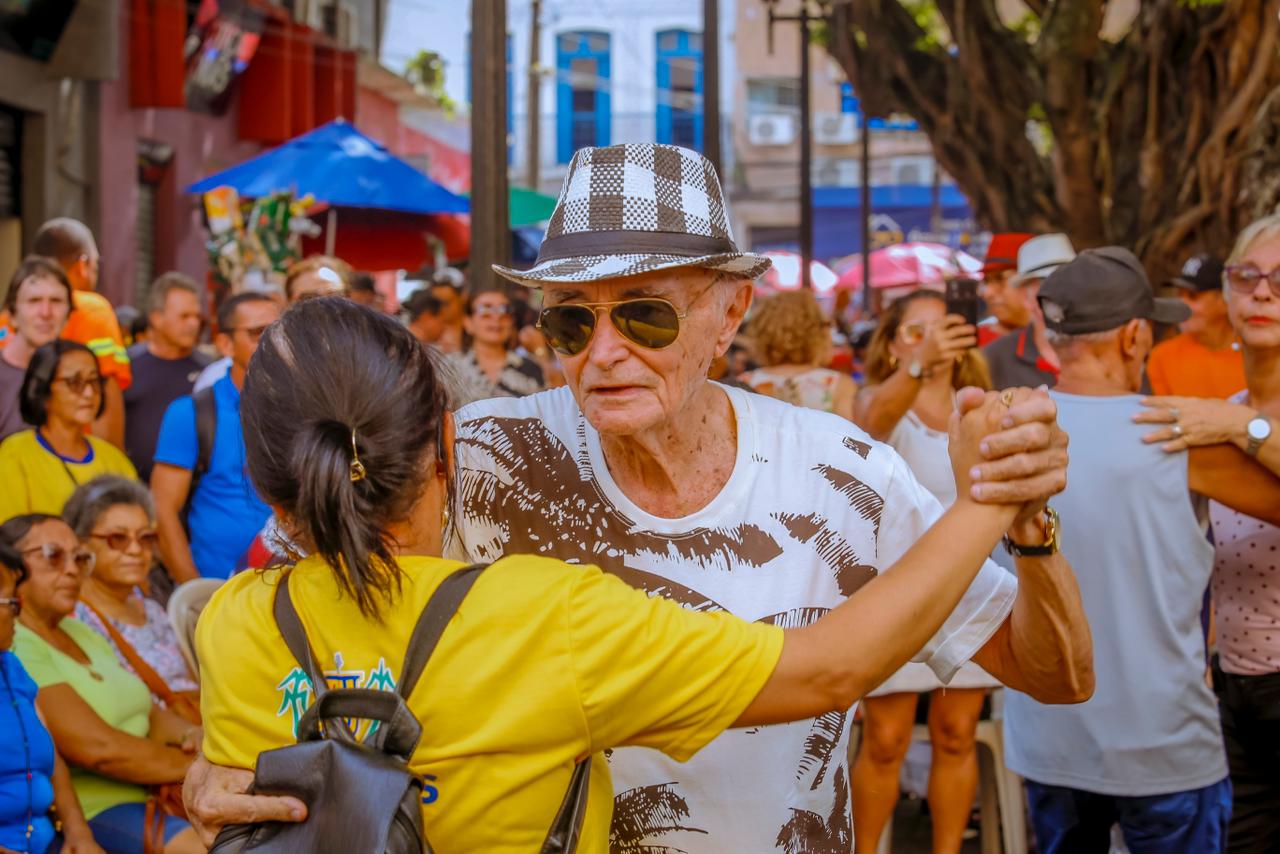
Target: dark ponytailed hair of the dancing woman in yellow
(333, 385)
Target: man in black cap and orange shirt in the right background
(1205, 360)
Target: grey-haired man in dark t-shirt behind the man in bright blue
(166, 367)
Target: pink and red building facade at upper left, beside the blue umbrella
(109, 117)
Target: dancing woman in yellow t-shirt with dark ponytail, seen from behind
(545, 663)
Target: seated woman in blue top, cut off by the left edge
(33, 777)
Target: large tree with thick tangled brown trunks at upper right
(1162, 138)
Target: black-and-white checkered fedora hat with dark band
(630, 209)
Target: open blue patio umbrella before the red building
(341, 167)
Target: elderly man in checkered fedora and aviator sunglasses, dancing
(723, 500)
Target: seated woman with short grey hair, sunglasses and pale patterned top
(116, 519)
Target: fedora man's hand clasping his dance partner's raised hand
(1023, 460)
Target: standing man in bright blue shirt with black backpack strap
(211, 536)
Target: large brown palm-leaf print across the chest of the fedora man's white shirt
(546, 503)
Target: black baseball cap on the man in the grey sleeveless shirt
(1103, 290)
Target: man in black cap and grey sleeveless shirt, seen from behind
(1146, 752)
